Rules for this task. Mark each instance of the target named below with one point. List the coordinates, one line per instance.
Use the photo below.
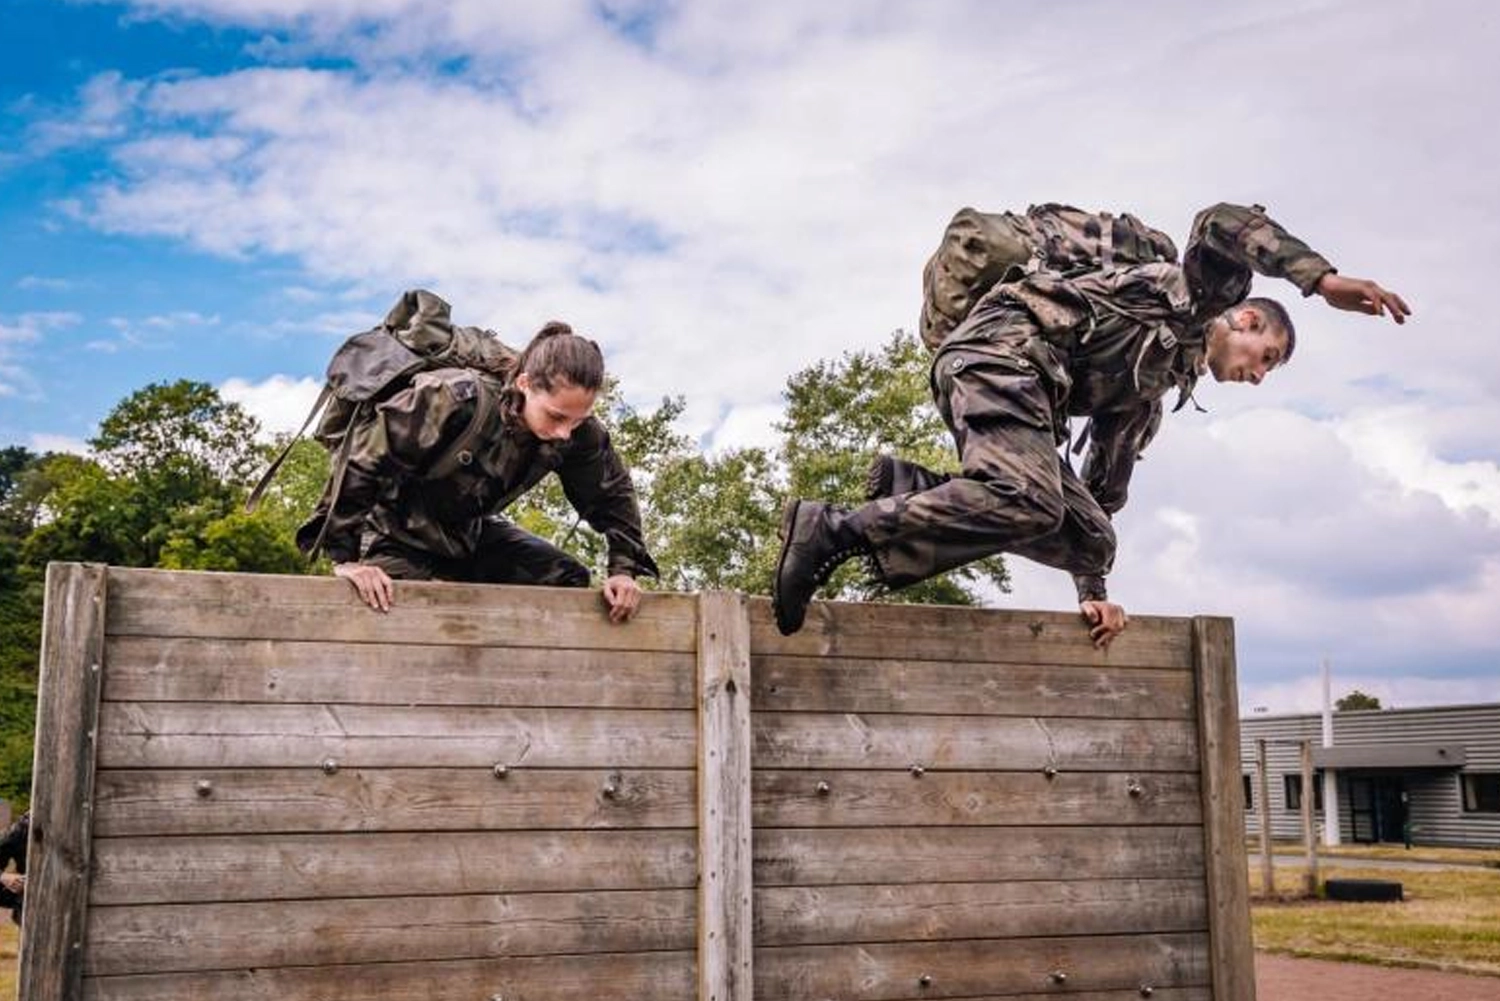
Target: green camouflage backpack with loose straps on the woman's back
(418, 335)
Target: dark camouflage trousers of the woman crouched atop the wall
(505, 555)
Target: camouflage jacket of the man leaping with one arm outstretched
(1111, 344)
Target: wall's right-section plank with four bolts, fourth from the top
(947, 799)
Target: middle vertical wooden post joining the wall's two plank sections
(724, 798)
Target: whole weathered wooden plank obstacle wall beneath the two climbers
(256, 789)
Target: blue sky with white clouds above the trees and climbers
(727, 193)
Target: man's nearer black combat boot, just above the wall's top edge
(817, 540)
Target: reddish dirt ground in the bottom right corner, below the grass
(1288, 979)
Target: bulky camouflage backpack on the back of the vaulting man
(982, 250)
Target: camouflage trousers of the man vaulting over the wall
(1013, 493)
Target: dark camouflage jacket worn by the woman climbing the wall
(394, 490)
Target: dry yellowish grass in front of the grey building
(1450, 921)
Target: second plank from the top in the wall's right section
(853, 685)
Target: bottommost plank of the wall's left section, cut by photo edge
(667, 976)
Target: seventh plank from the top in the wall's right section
(967, 969)
